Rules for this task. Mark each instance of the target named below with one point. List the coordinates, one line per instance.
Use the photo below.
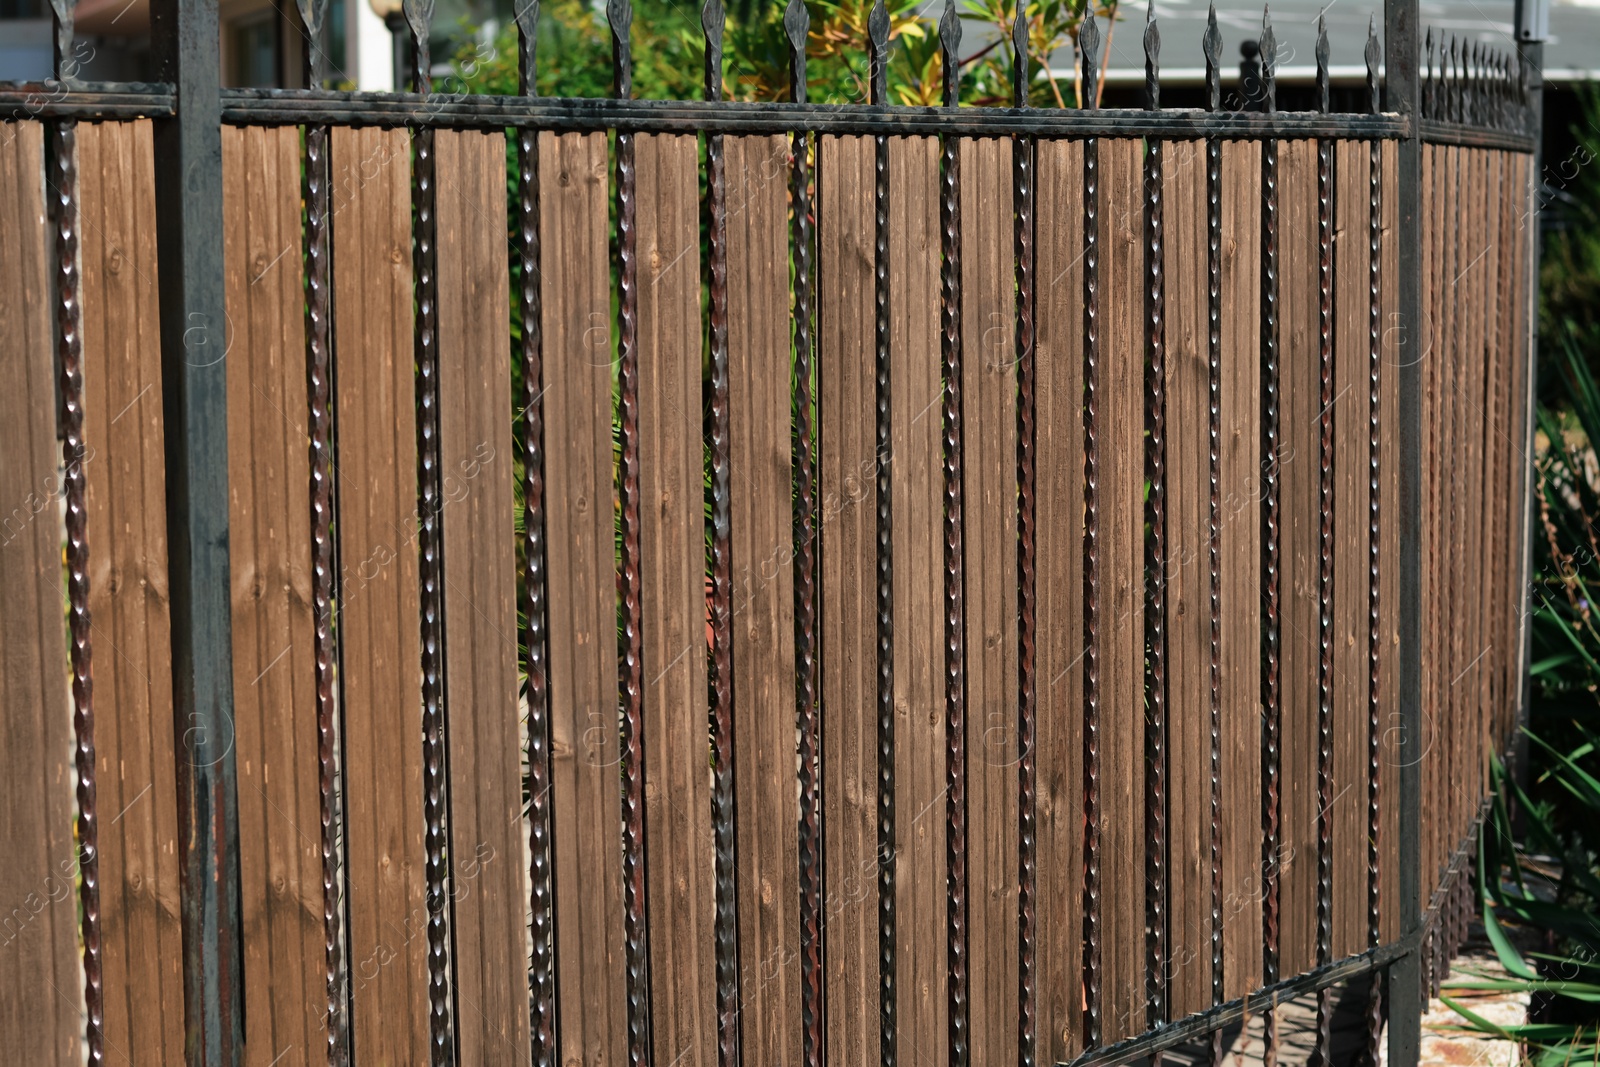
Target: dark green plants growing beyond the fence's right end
(1540, 853)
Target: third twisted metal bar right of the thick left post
(530, 295)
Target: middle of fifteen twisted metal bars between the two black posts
(954, 609)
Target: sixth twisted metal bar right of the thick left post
(796, 28)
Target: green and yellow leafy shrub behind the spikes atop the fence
(575, 52)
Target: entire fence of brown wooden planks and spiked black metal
(759, 583)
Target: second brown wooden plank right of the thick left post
(380, 628)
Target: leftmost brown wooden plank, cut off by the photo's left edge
(41, 989)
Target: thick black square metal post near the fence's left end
(194, 402)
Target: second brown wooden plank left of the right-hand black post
(1351, 442)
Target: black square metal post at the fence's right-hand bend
(1404, 97)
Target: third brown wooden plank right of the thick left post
(489, 876)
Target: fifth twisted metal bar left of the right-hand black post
(1156, 548)
